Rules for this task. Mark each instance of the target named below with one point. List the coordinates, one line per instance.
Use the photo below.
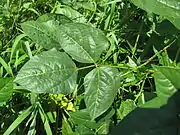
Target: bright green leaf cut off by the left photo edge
(6, 89)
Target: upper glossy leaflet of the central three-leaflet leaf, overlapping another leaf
(84, 43)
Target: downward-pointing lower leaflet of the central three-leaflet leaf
(101, 86)
